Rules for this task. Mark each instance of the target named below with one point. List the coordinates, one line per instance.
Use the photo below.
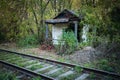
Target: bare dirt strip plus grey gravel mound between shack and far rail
(78, 57)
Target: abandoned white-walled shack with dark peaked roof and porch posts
(65, 20)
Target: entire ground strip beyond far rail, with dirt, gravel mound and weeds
(86, 57)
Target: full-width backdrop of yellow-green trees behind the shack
(21, 18)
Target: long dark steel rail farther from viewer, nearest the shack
(115, 75)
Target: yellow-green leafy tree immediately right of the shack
(93, 19)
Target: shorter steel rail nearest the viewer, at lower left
(26, 71)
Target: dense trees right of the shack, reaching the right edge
(103, 19)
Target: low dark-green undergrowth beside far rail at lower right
(105, 64)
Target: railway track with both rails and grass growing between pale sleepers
(51, 69)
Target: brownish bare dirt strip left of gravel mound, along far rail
(33, 51)
